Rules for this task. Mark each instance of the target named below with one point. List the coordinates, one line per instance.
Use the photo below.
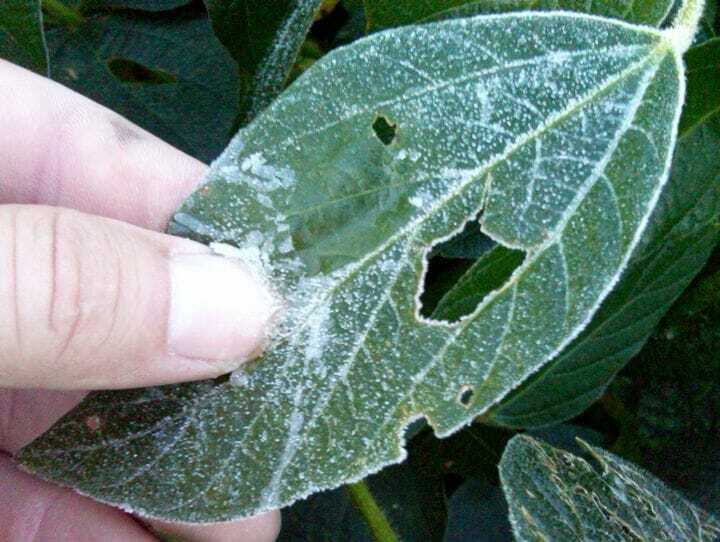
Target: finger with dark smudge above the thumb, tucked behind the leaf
(60, 148)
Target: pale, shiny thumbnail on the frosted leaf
(219, 308)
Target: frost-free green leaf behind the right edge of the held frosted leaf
(680, 238)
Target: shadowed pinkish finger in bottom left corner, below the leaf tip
(35, 511)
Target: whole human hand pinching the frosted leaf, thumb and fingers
(93, 297)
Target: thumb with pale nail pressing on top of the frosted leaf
(88, 302)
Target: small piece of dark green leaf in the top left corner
(21, 34)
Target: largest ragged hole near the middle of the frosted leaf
(462, 271)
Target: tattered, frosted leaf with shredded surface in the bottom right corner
(555, 495)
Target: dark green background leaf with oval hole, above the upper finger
(189, 84)
